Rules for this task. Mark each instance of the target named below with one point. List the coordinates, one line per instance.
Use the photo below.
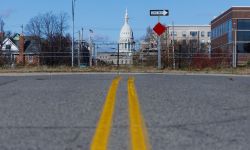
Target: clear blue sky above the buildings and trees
(105, 17)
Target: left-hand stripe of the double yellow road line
(101, 136)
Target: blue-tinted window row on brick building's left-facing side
(222, 29)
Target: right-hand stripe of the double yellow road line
(138, 132)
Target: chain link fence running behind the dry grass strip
(146, 60)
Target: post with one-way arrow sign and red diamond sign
(159, 30)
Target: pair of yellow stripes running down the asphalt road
(138, 133)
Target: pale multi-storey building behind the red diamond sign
(195, 37)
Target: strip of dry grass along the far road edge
(136, 69)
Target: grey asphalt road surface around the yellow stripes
(181, 112)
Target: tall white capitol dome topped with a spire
(126, 41)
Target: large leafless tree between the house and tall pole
(55, 44)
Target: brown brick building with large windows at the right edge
(230, 32)
